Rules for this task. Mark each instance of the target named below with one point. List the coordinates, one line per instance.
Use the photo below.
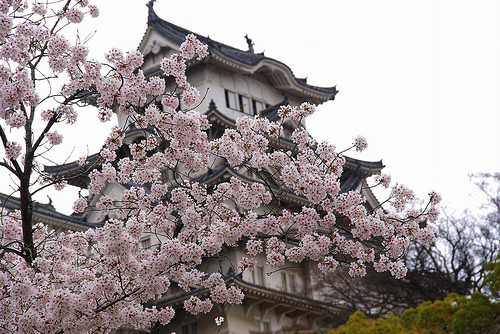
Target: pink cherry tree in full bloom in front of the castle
(100, 279)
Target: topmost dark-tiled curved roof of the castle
(247, 61)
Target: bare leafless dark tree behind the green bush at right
(455, 263)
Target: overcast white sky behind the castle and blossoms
(419, 79)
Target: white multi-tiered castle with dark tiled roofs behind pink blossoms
(236, 83)
